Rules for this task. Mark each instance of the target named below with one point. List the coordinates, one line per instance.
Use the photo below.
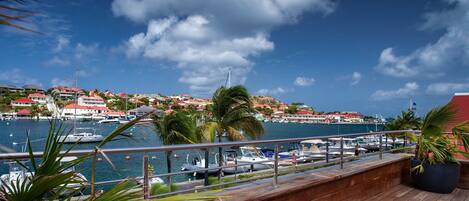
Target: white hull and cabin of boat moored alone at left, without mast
(82, 135)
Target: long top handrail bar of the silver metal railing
(25, 155)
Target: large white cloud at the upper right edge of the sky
(435, 58)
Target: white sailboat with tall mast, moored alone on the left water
(80, 135)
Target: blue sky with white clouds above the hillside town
(367, 56)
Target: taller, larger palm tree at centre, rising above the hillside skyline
(232, 114)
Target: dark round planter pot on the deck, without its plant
(438, 178)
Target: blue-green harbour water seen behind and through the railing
(13, 135)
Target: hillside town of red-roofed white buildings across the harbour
(61, 102)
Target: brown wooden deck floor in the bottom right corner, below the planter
(405, 192)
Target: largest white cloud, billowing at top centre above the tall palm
(206, 39)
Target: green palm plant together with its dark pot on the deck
(434, 166)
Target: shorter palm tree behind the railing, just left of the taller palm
(176, 128)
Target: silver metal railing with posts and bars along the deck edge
(205, 147)
